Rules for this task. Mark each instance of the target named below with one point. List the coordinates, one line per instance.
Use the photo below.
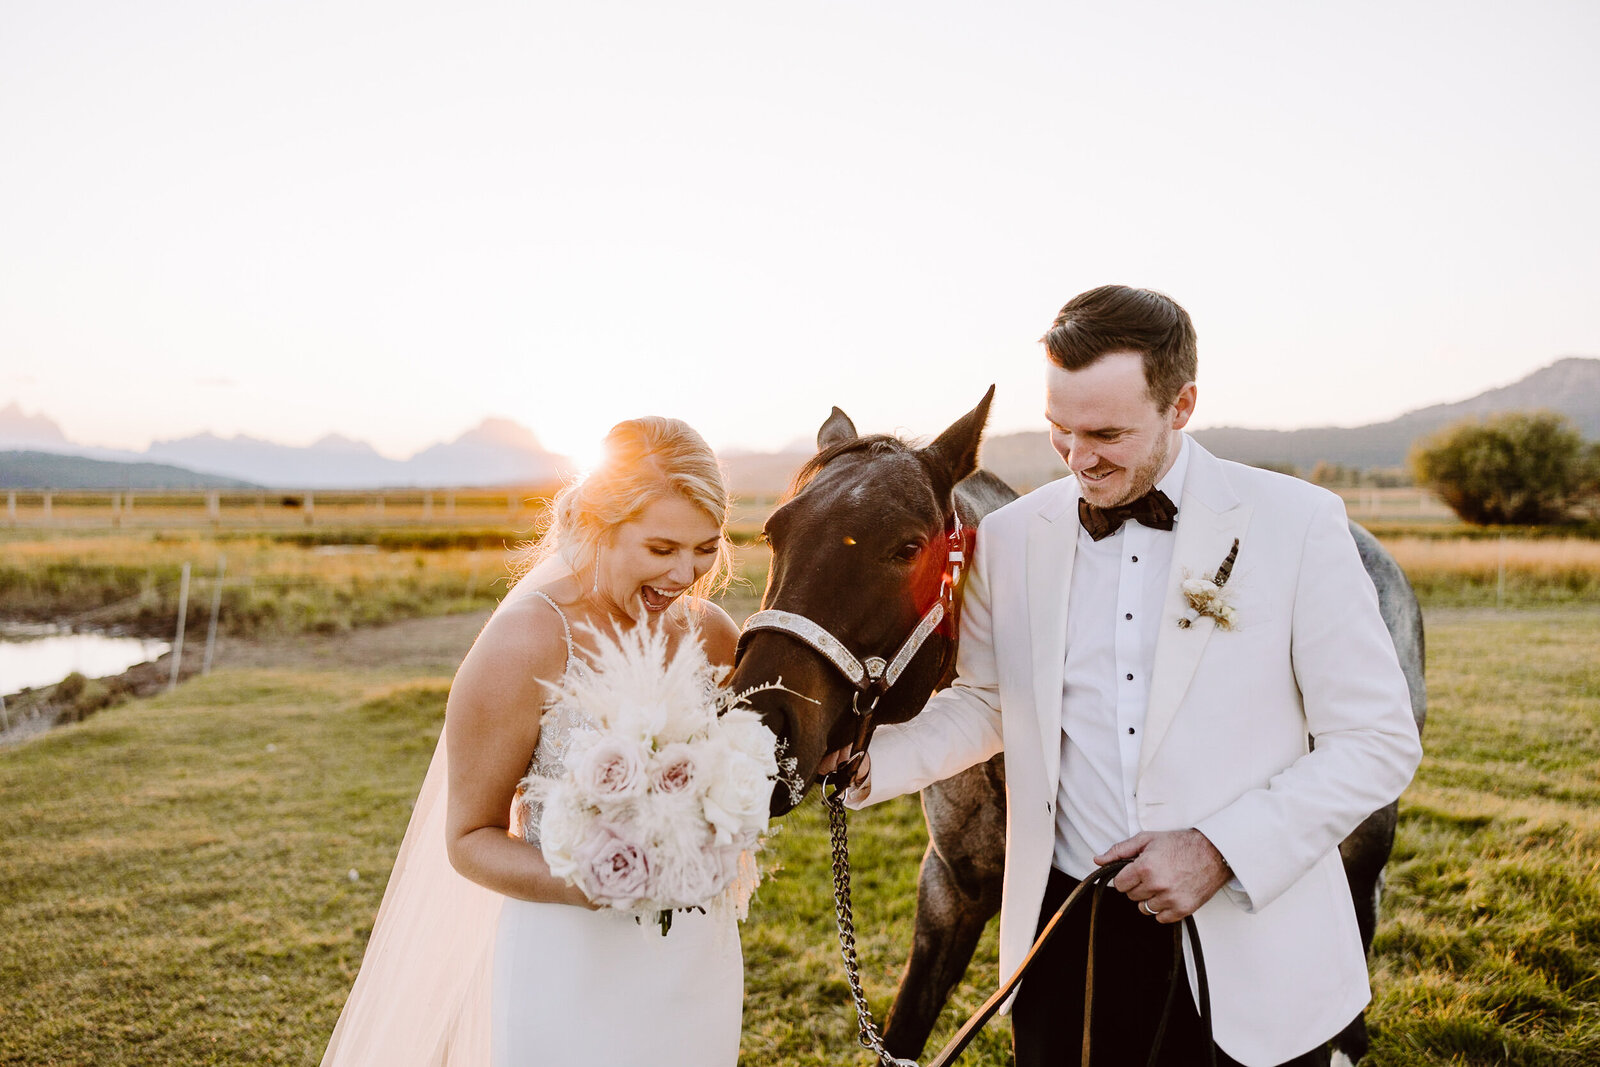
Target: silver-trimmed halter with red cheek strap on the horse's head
(874, 676)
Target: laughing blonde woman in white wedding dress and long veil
(486, 957)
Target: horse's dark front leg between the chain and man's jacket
(950, 924)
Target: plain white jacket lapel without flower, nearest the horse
(1052, 546)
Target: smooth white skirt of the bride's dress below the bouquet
(594, 989)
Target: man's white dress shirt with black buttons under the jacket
(1119, 586)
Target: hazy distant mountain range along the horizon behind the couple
(500, 452)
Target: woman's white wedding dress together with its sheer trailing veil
(460, 977)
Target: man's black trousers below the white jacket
(1134, 959)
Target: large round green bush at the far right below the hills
(1518, 468)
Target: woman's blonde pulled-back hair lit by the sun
(644, 460)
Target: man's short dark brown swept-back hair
(1122, 319)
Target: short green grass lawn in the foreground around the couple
(178, 873)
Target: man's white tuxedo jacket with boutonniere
(1226, 733)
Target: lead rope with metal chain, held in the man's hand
(1090, 889)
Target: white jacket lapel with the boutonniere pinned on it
(1209, 521)
